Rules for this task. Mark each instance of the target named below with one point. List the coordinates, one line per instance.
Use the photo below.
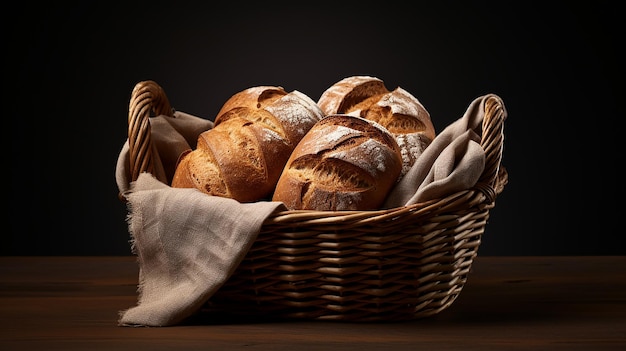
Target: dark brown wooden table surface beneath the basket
(509, 303)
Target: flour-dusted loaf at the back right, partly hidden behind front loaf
(398, 111)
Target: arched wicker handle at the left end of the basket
(147, 99)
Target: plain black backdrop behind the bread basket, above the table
(556, 65)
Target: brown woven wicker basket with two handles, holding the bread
(386, 265)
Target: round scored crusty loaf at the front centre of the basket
(343, 163)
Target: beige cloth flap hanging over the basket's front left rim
(187, 244)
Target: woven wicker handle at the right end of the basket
(492, 141)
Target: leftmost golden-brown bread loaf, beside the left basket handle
(243, 155)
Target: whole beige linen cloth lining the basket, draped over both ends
(188, 243)
